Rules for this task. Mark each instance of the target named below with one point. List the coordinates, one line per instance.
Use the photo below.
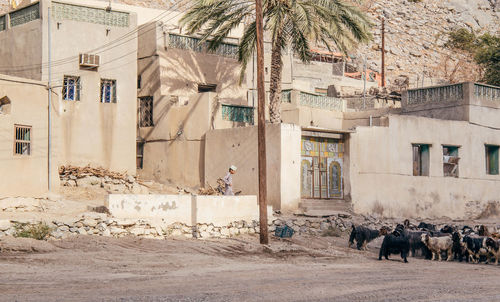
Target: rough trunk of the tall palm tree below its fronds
(275, 83)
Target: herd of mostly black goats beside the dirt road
(472, 244)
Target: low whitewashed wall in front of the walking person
(187, 209)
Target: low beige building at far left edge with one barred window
(24, 138)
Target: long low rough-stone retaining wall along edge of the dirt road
(97, 224)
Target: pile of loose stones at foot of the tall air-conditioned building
(112, 182)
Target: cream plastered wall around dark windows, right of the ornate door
(381, 169)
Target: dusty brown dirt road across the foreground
(304, 269)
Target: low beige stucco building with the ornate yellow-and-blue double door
(435, 156)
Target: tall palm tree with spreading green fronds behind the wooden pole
(293, 24)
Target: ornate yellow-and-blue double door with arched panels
(321, 167)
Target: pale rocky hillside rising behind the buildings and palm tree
(415, 35)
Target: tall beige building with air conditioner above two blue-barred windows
(93, 59)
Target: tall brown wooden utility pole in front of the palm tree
(261, 95)
